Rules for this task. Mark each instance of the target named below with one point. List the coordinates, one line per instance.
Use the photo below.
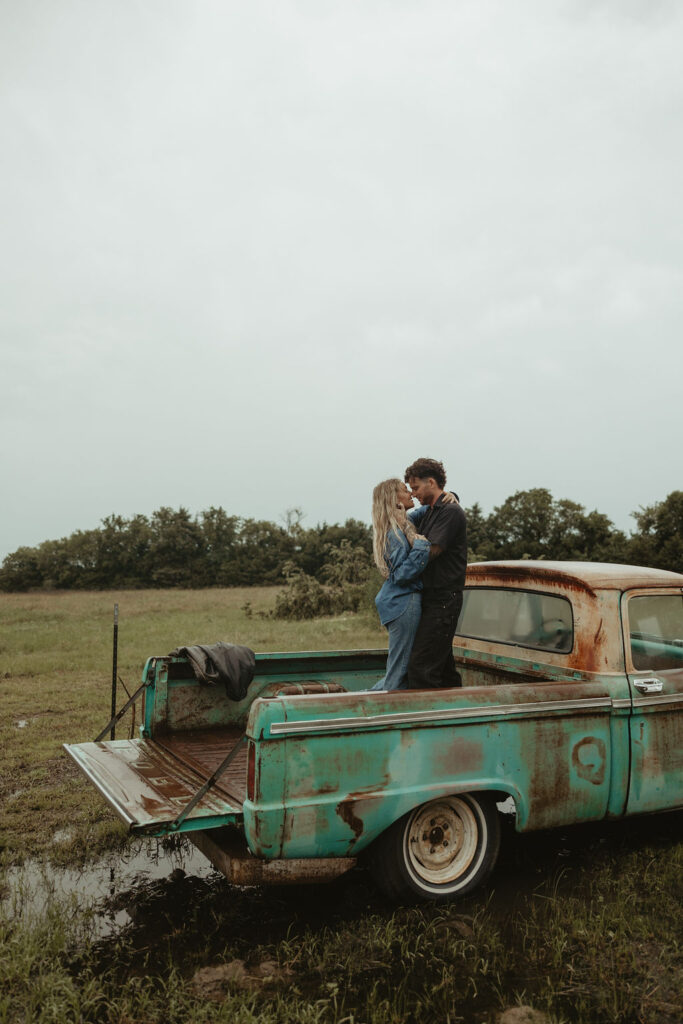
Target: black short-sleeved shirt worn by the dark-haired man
(447, 527)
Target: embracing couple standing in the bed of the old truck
(422, 554)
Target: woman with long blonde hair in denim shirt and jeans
(402, 557)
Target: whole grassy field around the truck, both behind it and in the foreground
(586, 925)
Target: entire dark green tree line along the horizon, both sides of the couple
(173, 548)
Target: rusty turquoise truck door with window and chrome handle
(654, 641)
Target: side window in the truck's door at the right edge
(657, 631)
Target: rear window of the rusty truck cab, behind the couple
(524, 618)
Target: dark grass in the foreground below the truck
(597, 942)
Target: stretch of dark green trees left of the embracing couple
(173, 548)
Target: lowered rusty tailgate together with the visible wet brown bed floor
(150, 783)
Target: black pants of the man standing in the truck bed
(432, 664)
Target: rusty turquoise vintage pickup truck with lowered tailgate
(572, 706)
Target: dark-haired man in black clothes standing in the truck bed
(432, 663)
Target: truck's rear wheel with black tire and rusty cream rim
(439, 851)
